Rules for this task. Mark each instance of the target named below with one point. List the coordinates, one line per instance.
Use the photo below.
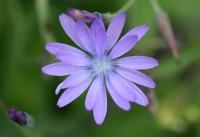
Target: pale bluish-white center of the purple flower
(101, 65)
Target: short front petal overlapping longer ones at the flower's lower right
(121, 86)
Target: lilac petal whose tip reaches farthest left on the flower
(59, 69)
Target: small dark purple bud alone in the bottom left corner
(19, 117)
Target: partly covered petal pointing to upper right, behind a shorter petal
(139, 31)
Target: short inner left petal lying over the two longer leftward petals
(74, 60)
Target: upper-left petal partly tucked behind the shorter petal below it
(56, 48)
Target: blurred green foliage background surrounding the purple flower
(25, 26)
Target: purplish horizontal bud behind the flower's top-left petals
(82, 15)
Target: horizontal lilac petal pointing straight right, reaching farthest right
(137, 62)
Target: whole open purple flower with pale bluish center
(99, 67)
